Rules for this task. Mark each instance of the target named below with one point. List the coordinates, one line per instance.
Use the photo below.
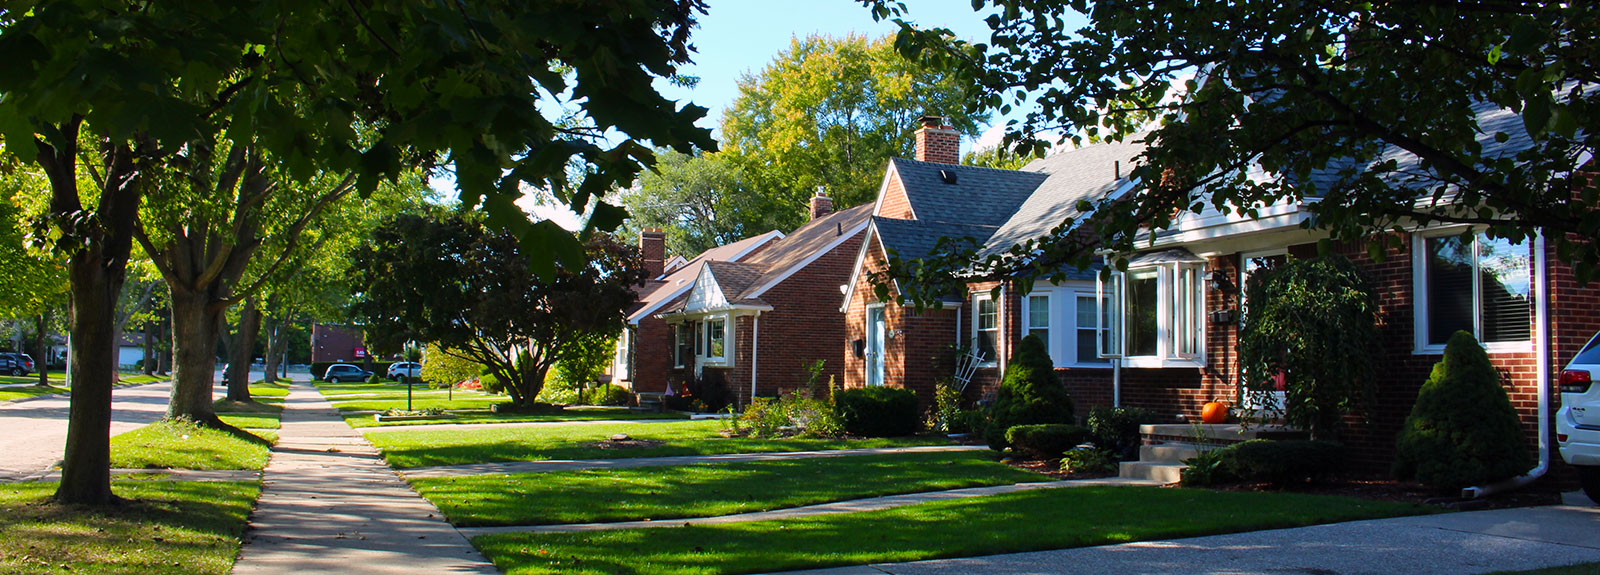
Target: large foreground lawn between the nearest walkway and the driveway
(1028, 521)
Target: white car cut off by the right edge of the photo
(1578, 422)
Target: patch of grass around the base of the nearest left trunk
(166, 528)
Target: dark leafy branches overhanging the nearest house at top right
(1314, 92)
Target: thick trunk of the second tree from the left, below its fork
(196, 329)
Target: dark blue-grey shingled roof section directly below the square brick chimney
(980, 196)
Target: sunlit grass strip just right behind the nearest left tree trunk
(186, 446)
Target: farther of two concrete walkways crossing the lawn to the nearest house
(655, 462)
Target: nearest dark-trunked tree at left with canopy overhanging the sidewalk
(119, 87)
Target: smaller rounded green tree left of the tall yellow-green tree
(702, 203)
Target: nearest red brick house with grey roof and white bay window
(1174, 316)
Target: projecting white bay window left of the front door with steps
(1151, 316)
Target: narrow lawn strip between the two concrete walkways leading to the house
(705, 491)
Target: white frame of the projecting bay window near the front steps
(1167, 334)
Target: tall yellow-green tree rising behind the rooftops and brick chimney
(831, 113)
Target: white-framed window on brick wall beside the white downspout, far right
(1473, 284)
